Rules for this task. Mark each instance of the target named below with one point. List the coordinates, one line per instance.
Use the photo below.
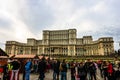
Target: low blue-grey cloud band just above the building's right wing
(110, 31)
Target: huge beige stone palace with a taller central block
(62, 42)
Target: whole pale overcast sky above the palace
(22, 19)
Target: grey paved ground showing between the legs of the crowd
(48, 76)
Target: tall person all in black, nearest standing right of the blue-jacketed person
(42, 68)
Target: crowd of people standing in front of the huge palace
(83, 70)
